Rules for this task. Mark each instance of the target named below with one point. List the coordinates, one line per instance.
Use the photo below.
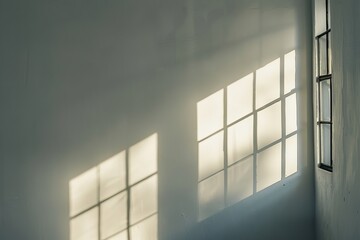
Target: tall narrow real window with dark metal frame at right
(323, 82)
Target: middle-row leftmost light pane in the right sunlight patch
(211, 155)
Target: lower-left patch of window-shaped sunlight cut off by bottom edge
(117, 200)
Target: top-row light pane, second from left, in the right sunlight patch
(240, 98)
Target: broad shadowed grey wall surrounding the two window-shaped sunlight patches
(82, 80)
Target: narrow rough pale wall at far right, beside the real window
(337, 193)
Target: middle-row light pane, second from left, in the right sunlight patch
(240, 140)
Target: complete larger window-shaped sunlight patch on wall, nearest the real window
(247, 136)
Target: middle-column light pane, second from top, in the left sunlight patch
(113, 215)
